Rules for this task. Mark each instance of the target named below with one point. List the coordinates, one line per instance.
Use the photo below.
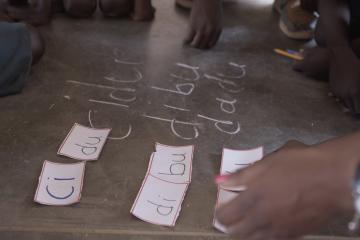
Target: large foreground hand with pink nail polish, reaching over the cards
(290, 193)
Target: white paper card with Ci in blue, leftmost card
(60, 184)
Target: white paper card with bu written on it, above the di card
(172, 165)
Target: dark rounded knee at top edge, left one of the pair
(80, 8)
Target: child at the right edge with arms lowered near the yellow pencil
(336, 56)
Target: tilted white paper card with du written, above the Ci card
(83, 143)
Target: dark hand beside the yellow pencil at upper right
(315, 64)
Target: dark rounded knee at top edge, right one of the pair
(115, 8)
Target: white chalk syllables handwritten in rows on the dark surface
(184, 79)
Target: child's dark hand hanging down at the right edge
(345, 77)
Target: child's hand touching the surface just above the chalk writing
(205, 24)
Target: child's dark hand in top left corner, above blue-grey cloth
(34, 15)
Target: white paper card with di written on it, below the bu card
(159, 202)
